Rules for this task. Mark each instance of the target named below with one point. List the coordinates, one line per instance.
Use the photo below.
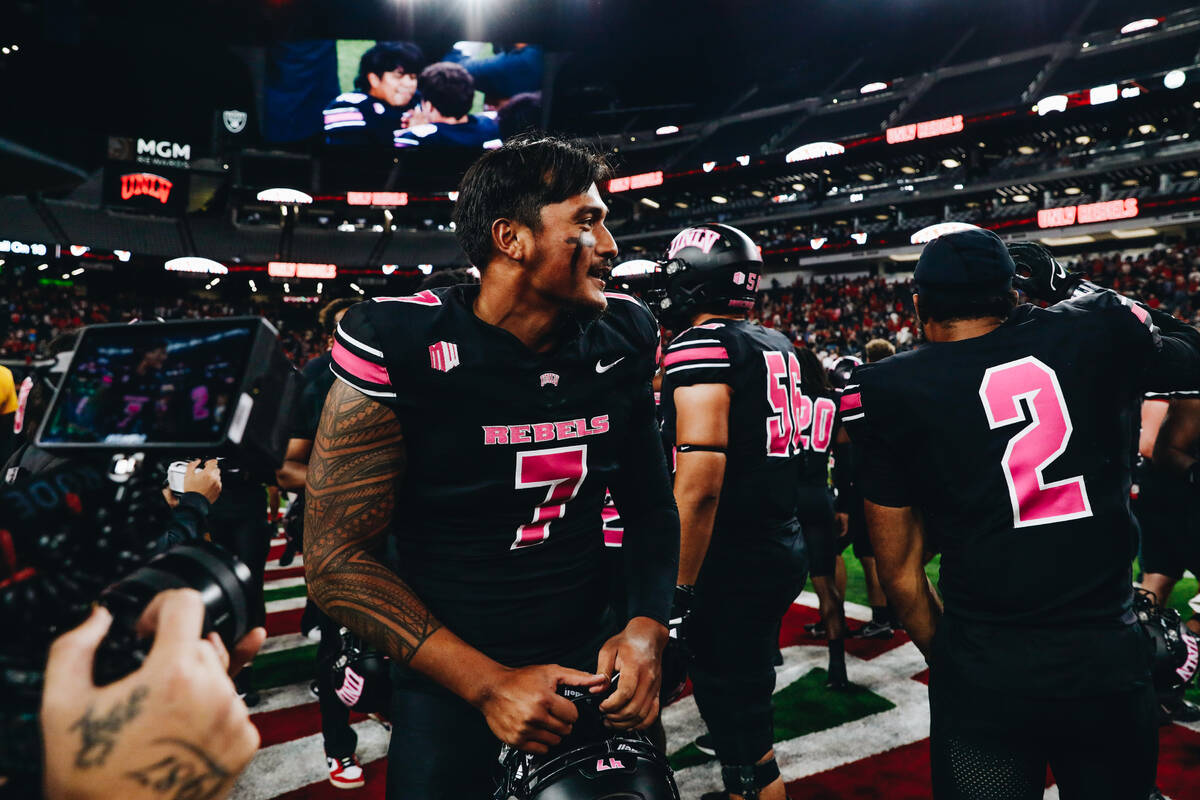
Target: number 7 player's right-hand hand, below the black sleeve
(637, 653)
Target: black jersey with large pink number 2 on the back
(1015, 447)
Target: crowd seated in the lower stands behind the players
(833, 315)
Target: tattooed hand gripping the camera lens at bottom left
(177, 721)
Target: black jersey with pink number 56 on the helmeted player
(769, 418)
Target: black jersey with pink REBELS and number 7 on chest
(509, 454)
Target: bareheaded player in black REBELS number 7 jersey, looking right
(496, 417)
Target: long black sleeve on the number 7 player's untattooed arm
(641, 491)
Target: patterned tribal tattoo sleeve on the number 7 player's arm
(357, 461)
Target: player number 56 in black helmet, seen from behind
(739, 422)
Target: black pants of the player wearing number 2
(993, 745)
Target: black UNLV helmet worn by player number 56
(711, 266)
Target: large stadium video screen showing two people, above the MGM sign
(401, 97)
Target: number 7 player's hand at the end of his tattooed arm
(524, 708)
